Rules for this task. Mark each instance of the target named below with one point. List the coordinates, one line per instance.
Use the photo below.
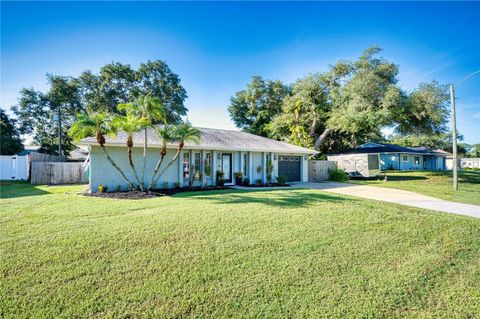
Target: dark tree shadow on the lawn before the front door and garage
(277, 198)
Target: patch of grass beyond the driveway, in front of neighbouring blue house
(436, 184)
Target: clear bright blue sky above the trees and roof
(216, 47)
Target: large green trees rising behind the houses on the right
(344, 107)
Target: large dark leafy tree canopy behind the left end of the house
(114, 84)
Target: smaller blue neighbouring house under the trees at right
(395, 157)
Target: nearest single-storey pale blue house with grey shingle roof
(218, 150)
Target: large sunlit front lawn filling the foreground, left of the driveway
(286, 253)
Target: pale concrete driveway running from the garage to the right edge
(395, 196)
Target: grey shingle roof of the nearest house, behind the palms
(211, 139)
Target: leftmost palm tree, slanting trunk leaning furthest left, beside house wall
(97, 124)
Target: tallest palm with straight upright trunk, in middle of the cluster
(152, 110)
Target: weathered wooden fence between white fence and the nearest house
(57, 173)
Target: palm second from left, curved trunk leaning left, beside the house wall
(130, 123)
